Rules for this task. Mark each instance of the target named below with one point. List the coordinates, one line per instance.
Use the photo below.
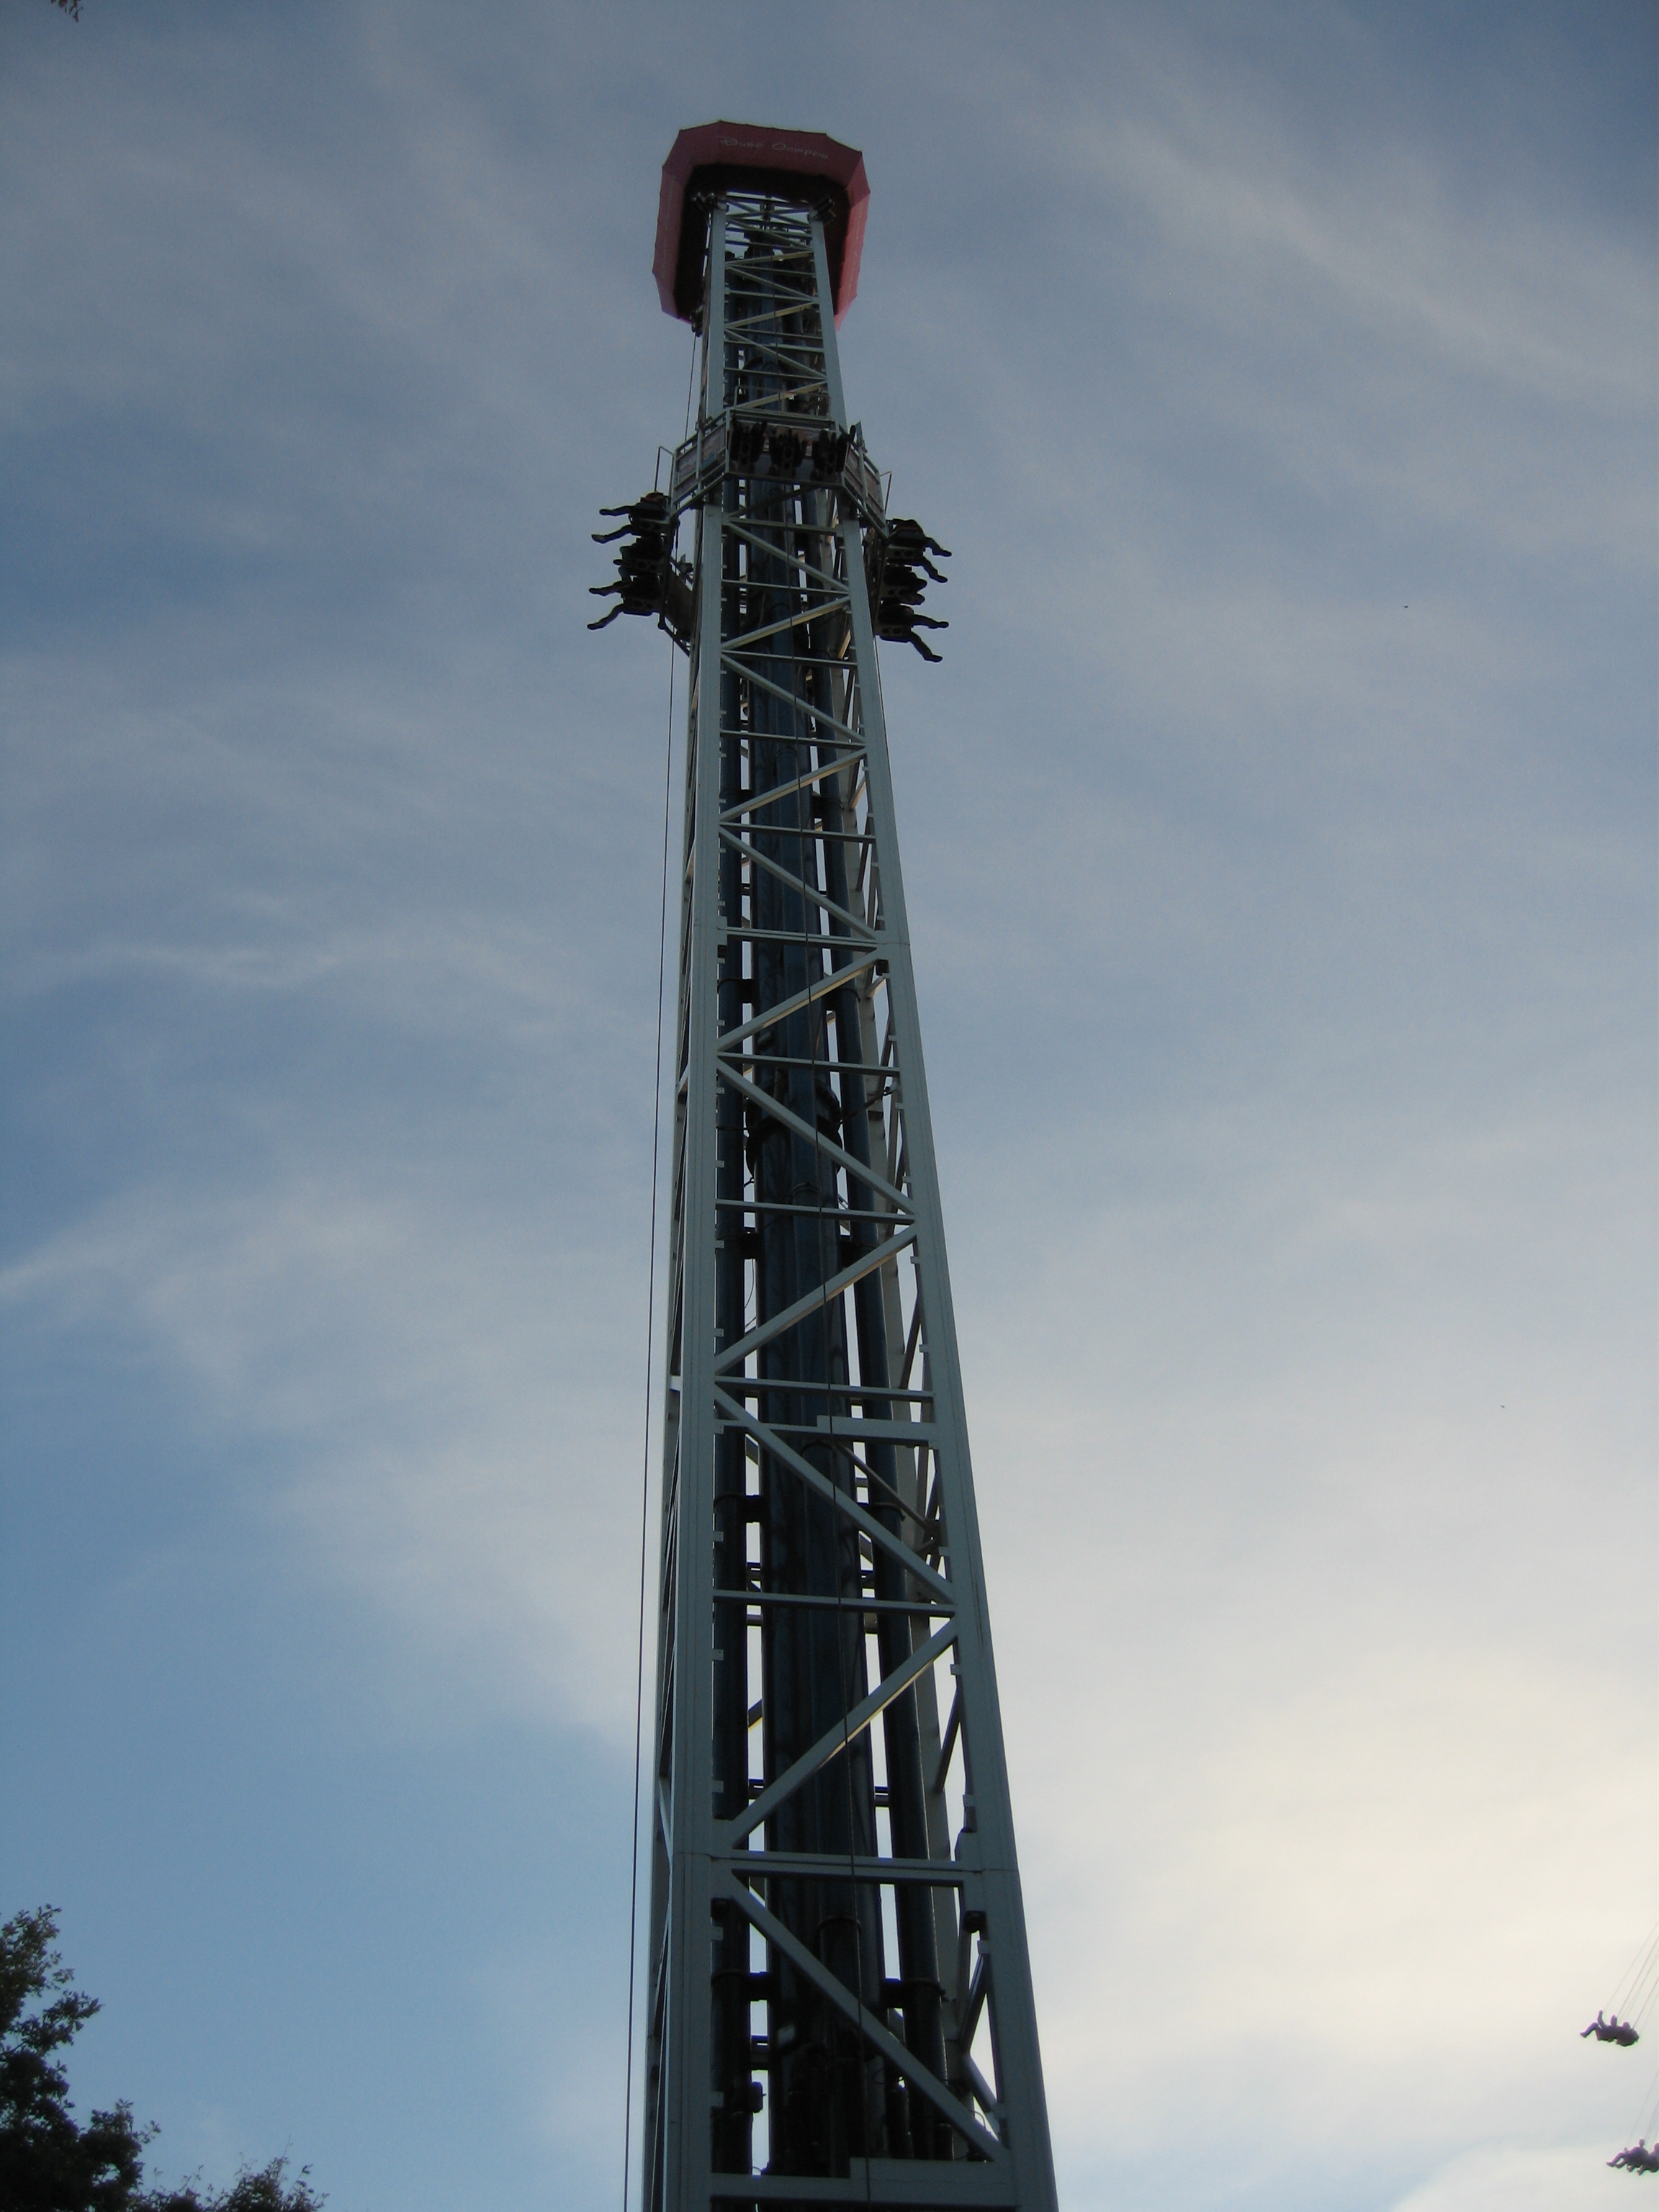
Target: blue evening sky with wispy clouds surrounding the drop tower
(1280, 844)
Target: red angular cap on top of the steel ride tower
(758, 160)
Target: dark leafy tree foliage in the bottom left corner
(50, 2162)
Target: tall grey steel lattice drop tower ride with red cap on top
(839, 1994)
